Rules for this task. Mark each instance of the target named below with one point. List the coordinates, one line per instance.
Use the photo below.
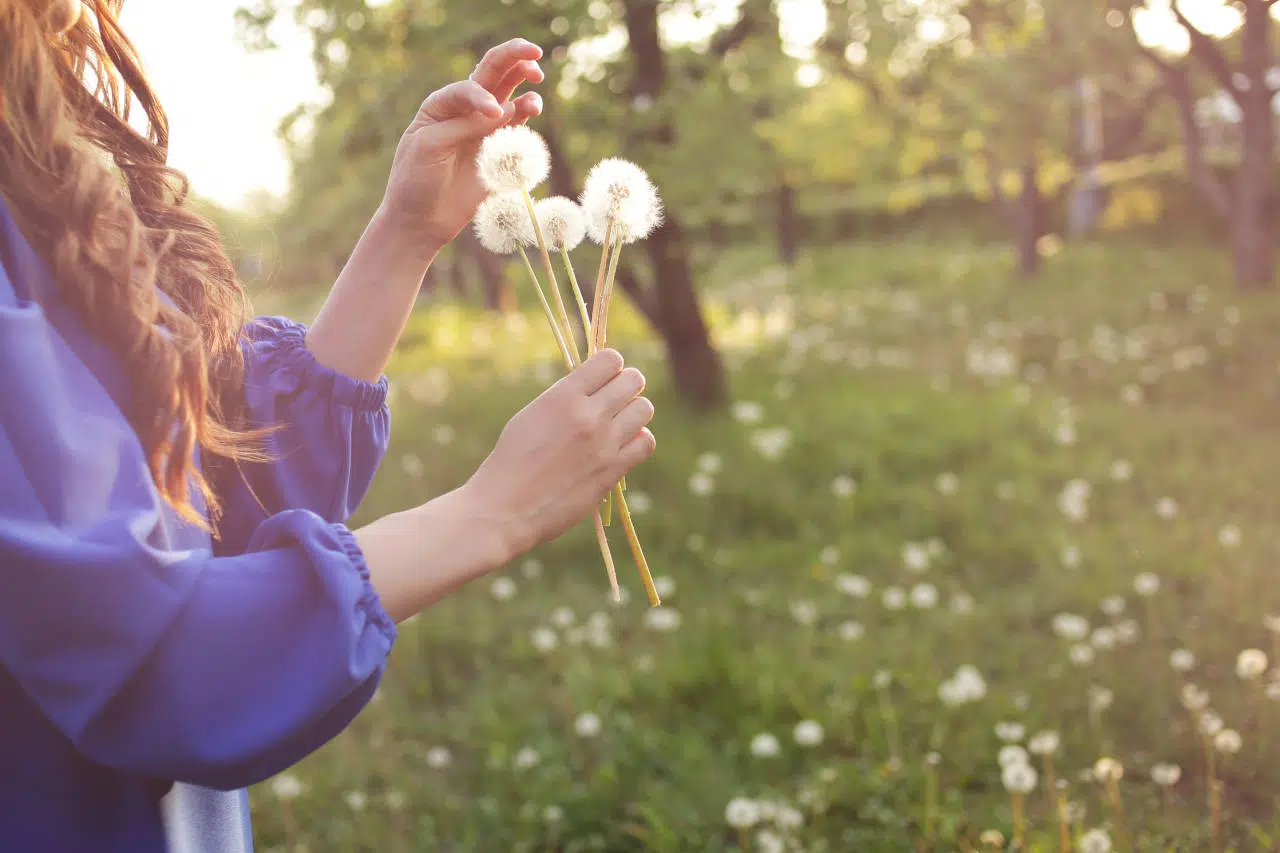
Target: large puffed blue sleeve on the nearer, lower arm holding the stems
(153, 659)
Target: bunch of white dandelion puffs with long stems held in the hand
(620, 206)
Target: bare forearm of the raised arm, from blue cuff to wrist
(359, 325)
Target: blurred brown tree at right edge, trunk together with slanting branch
(1241, 69)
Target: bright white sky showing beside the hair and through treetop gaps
(225, 103)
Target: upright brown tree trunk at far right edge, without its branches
(1251, 231)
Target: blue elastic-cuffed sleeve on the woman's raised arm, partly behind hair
(332, 434)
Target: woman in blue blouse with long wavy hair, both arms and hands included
(182, 610)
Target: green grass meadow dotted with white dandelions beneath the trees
(871, 364)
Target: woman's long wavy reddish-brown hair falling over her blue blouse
(102, 207)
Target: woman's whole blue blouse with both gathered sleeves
(135, 653)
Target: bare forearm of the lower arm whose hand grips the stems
(420, 556)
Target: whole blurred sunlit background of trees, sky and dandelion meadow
(961, 330)
